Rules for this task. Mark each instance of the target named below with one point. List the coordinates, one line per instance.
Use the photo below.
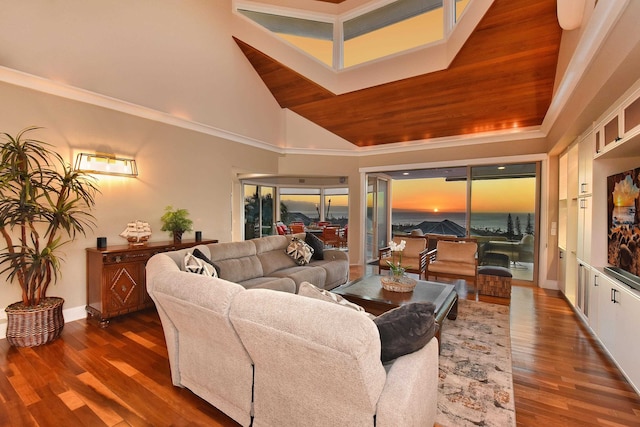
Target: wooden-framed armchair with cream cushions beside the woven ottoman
(454, 259)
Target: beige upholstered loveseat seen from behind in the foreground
(268, 358)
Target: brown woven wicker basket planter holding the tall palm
(33, 326)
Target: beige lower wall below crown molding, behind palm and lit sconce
(176, 166)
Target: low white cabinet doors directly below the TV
(619, 317)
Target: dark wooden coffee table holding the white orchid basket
(368, 293)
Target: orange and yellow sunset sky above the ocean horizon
(504, 195)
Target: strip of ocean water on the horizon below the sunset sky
(485, 220)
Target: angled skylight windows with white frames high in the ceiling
(356, 38)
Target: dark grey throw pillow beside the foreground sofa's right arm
(405, 329)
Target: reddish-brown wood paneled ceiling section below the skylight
(502, 79)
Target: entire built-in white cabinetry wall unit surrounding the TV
(610, 308)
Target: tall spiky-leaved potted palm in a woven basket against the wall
(44, 204)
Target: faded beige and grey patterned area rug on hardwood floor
(476, 386)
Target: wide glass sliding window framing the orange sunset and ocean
(498, 206)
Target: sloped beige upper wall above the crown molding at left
(173, 56)
